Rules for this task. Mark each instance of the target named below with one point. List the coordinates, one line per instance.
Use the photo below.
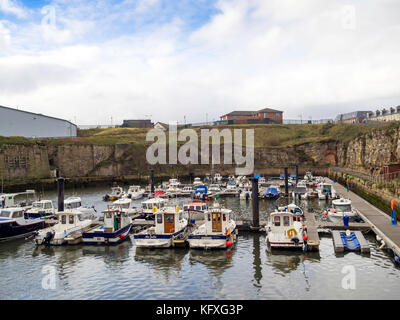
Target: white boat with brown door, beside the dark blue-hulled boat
(170, 224)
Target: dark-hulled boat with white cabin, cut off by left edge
(14, 224)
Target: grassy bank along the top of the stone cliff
(274, 136)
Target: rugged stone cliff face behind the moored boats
(367, 153)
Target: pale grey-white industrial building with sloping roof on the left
(15, 122)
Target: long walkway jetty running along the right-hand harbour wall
(379, 221)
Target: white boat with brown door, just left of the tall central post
(217, 232)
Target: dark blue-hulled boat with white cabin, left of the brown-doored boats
(116, 228)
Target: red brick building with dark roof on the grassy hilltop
(262, 115)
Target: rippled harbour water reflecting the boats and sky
(247, 271)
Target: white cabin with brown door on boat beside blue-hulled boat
(168, 220)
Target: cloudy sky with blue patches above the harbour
(102, 61)
